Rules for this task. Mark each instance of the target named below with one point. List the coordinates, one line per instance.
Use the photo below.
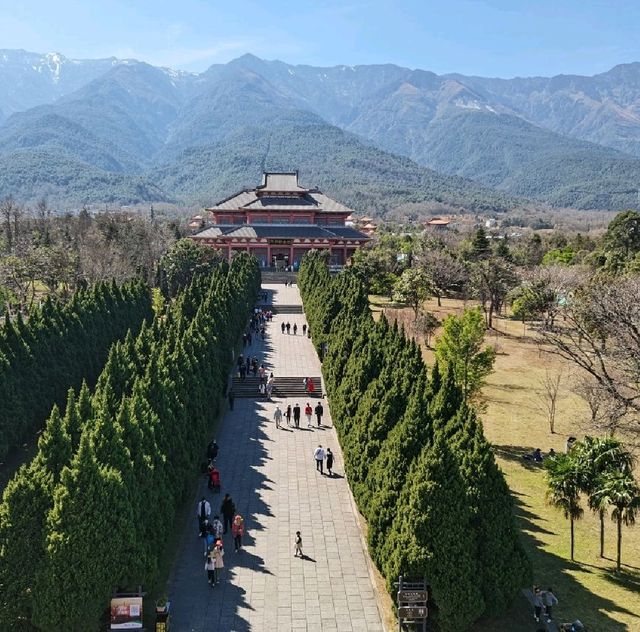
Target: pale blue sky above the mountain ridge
(497, 38)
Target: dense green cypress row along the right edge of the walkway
(420, 469)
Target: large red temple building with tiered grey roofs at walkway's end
(279, 221)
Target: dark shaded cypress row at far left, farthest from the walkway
(56, 348)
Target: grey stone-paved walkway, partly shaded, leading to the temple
(272, 478)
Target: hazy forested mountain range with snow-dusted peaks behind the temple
(382, 138)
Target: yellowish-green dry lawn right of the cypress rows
(587, 589)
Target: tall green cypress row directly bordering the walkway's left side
(83, 517)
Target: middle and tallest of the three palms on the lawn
(596, 456)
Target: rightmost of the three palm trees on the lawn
(620, 491)
